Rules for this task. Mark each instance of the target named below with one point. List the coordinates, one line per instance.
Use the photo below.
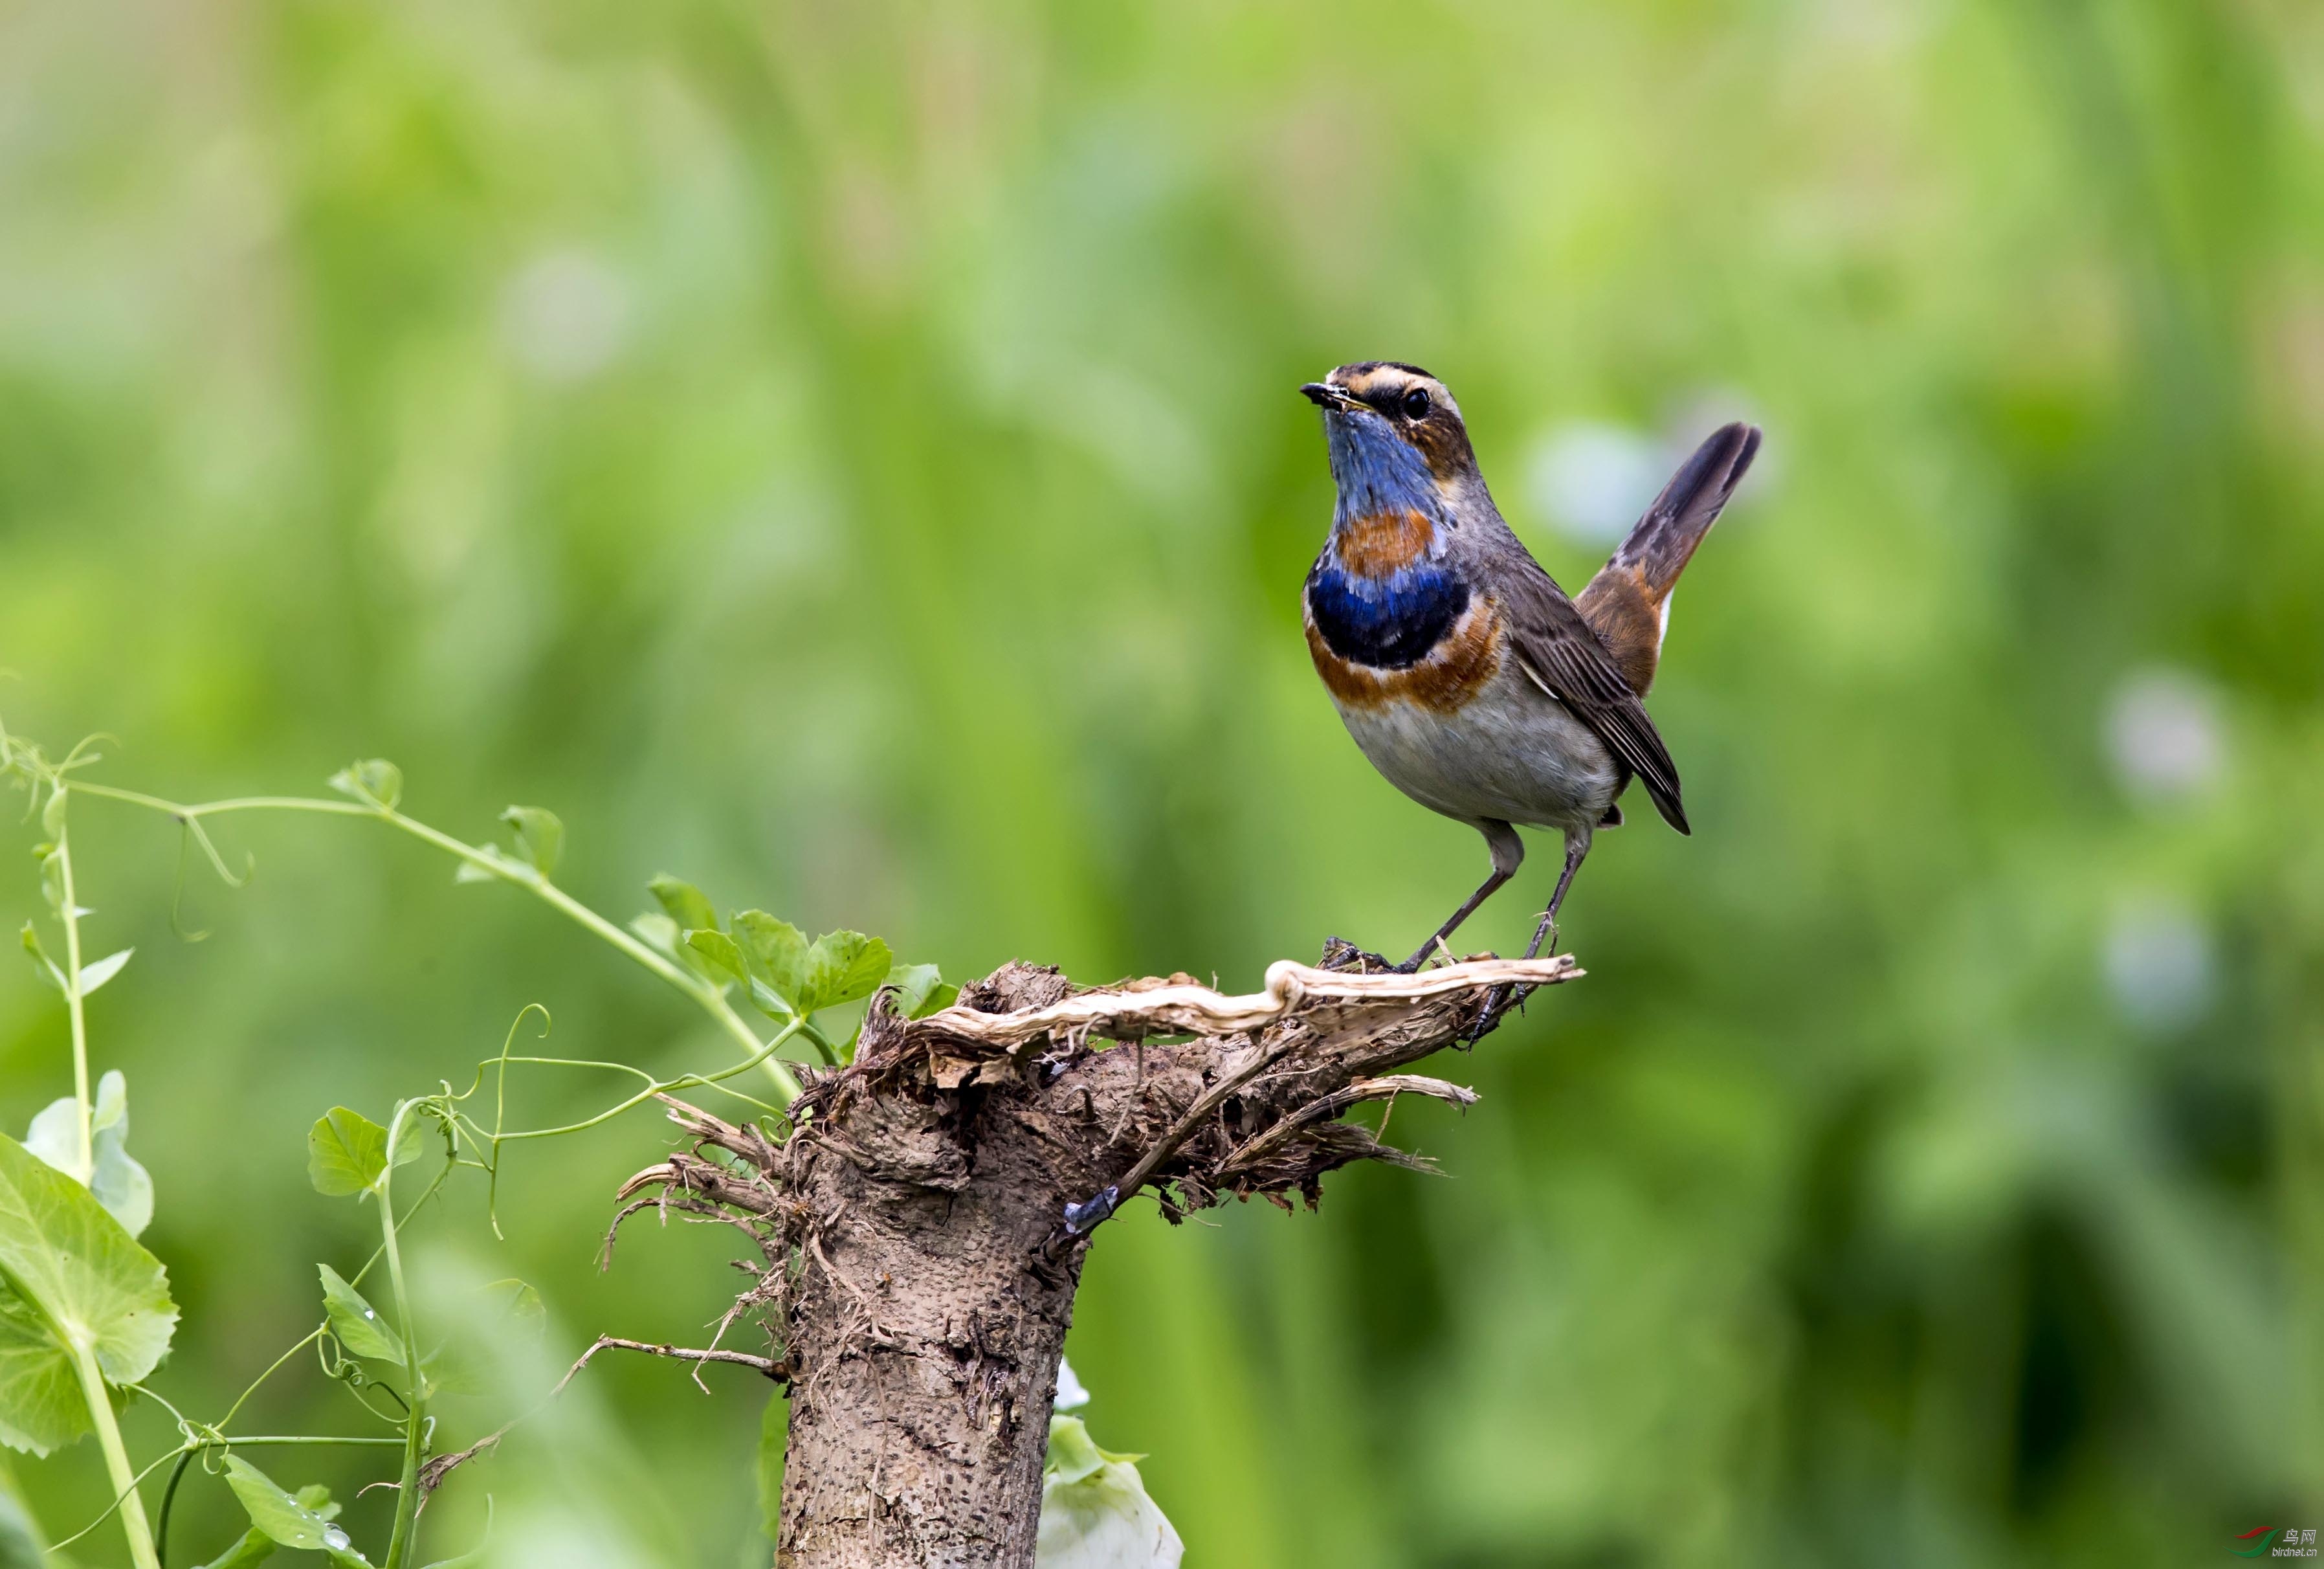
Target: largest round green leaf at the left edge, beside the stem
(71, 1282)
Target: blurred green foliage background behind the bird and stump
(849, 457)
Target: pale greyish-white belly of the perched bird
(1512, 754)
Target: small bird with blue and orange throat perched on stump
(1461, 668)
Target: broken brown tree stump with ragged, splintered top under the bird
(919, 1277)
